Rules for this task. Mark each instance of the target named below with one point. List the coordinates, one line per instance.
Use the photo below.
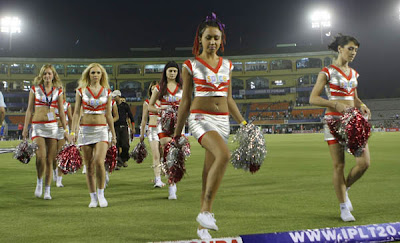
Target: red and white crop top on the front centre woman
(209, 81)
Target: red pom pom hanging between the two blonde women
(69, 159)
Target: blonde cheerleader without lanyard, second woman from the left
(93, 95)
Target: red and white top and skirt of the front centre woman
(209, 82)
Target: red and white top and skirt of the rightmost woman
(339, 87)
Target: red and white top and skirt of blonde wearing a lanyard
(45, 129)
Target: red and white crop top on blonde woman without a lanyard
(94, 103)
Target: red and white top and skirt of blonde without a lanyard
(93, 104)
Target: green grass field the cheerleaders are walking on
(292, 191)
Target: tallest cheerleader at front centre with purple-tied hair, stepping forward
(209, 76)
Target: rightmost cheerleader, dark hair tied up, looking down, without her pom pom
(340, 84)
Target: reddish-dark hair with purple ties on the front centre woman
(210, 21)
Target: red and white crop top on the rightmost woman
(340, 86)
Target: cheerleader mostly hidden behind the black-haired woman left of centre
(152, 135)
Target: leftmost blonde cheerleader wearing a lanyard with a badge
(44, 97)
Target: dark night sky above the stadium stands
(71, 28)
